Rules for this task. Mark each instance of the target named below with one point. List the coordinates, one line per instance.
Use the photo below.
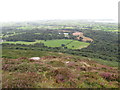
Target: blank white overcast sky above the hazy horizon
(28, 10)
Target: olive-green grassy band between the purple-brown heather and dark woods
(14, 54)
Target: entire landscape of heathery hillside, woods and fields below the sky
(72, 54)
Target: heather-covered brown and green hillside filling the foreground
(52, 71)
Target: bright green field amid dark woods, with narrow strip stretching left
(71, 44)
